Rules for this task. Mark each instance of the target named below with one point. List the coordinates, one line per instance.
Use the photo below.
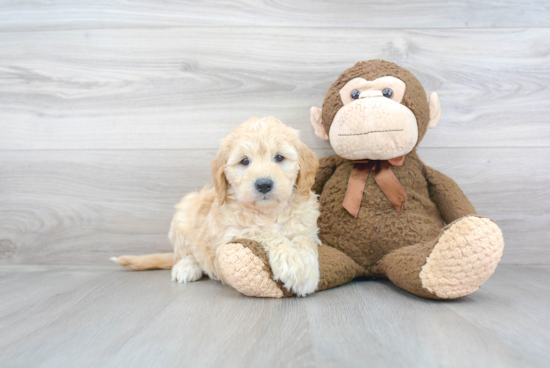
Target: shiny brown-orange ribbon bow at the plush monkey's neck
(385, 178)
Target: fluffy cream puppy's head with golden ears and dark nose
(262, 163)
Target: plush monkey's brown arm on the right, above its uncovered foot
(447, 195)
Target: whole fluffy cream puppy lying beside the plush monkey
(262, 179)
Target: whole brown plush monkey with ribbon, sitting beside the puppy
(384, 212)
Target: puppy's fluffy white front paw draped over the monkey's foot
(297, 267)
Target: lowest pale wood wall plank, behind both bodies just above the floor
(82, 207)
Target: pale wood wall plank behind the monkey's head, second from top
(186, 88)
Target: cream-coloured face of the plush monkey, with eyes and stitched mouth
(373, 124)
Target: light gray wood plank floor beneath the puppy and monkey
(60, 316)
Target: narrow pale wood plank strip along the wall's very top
(70, 14)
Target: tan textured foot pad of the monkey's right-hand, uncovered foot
(464, 257)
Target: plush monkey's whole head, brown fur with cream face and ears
(375, 110)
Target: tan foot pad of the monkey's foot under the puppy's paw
(247, 273)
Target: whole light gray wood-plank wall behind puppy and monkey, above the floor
(111, 111)
